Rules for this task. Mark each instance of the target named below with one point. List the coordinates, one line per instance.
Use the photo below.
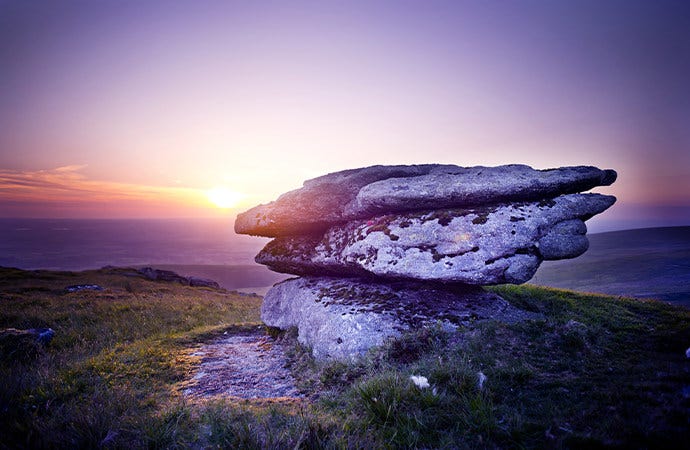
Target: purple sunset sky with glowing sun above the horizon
(123, 109)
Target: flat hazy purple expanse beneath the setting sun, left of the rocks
(67, 244)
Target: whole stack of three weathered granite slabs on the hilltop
(439, 225)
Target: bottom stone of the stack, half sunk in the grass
(344, 318)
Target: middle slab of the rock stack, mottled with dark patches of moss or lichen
(482, 245)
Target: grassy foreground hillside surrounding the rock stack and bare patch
(594, 371)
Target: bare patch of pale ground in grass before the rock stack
(248, 365)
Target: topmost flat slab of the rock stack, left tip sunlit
(360, 193)
